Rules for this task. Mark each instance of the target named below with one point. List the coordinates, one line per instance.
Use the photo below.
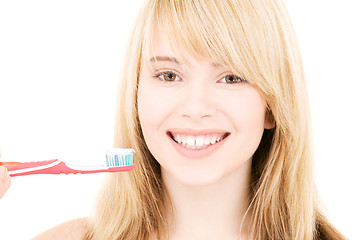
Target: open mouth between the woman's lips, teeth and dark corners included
(197, 141)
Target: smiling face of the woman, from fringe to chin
(200, 122)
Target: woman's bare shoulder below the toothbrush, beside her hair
(75, 229)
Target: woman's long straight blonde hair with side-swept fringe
(255, 39)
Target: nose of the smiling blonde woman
(197, 102)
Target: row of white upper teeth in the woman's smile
(196, 142)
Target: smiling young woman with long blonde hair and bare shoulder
(214, 102)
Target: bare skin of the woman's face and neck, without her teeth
(208, 188)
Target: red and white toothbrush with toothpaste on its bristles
(117, 160)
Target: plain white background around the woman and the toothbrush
(59, 67)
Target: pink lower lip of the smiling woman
(197, 153)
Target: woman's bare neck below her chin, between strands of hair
(213, 211)
